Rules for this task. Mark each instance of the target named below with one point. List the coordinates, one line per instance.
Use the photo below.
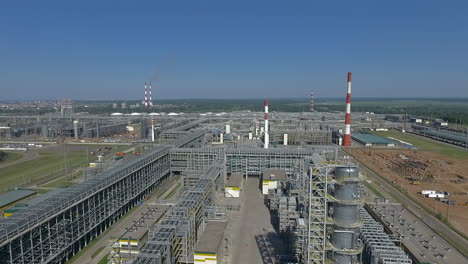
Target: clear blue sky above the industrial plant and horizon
(232, 49)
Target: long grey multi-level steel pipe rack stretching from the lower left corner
(58, 227)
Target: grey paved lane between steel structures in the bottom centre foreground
(254, 239)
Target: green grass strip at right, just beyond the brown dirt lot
(425, 144)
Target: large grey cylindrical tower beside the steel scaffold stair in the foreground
(347, 199)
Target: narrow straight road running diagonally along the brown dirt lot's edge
(429, 220)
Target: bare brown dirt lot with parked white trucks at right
(415, 171)
